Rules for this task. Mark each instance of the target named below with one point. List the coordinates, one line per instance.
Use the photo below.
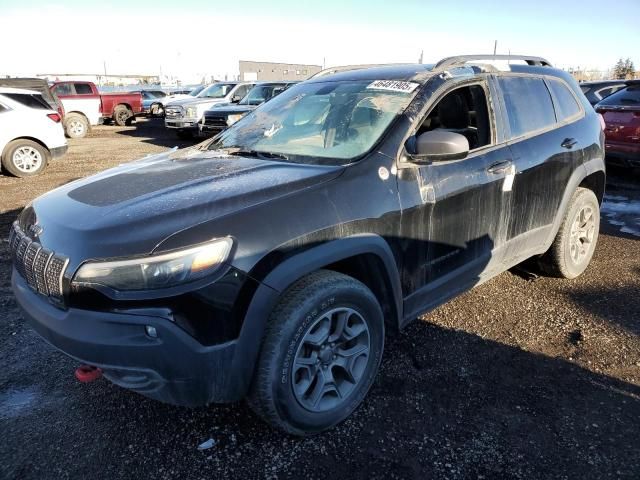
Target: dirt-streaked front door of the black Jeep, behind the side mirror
(452, 226)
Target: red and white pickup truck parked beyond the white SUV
(85, 106)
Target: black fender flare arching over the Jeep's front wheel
(265, 298)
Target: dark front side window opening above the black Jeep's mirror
(464, 111)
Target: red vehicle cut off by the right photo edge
(621, 113)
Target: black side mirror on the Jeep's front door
(437, 146)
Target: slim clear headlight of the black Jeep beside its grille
(157, 271)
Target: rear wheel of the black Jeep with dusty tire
(574, 245)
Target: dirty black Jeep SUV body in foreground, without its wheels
(348, 200)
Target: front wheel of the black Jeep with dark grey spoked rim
(320, 355)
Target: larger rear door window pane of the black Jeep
(528, 104)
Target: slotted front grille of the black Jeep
(41, 268)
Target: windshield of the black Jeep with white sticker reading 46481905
(324, 123)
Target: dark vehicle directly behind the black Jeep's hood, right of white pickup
(219, 117)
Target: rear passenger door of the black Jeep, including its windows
(546, 145)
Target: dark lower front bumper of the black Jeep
(173, 367)
